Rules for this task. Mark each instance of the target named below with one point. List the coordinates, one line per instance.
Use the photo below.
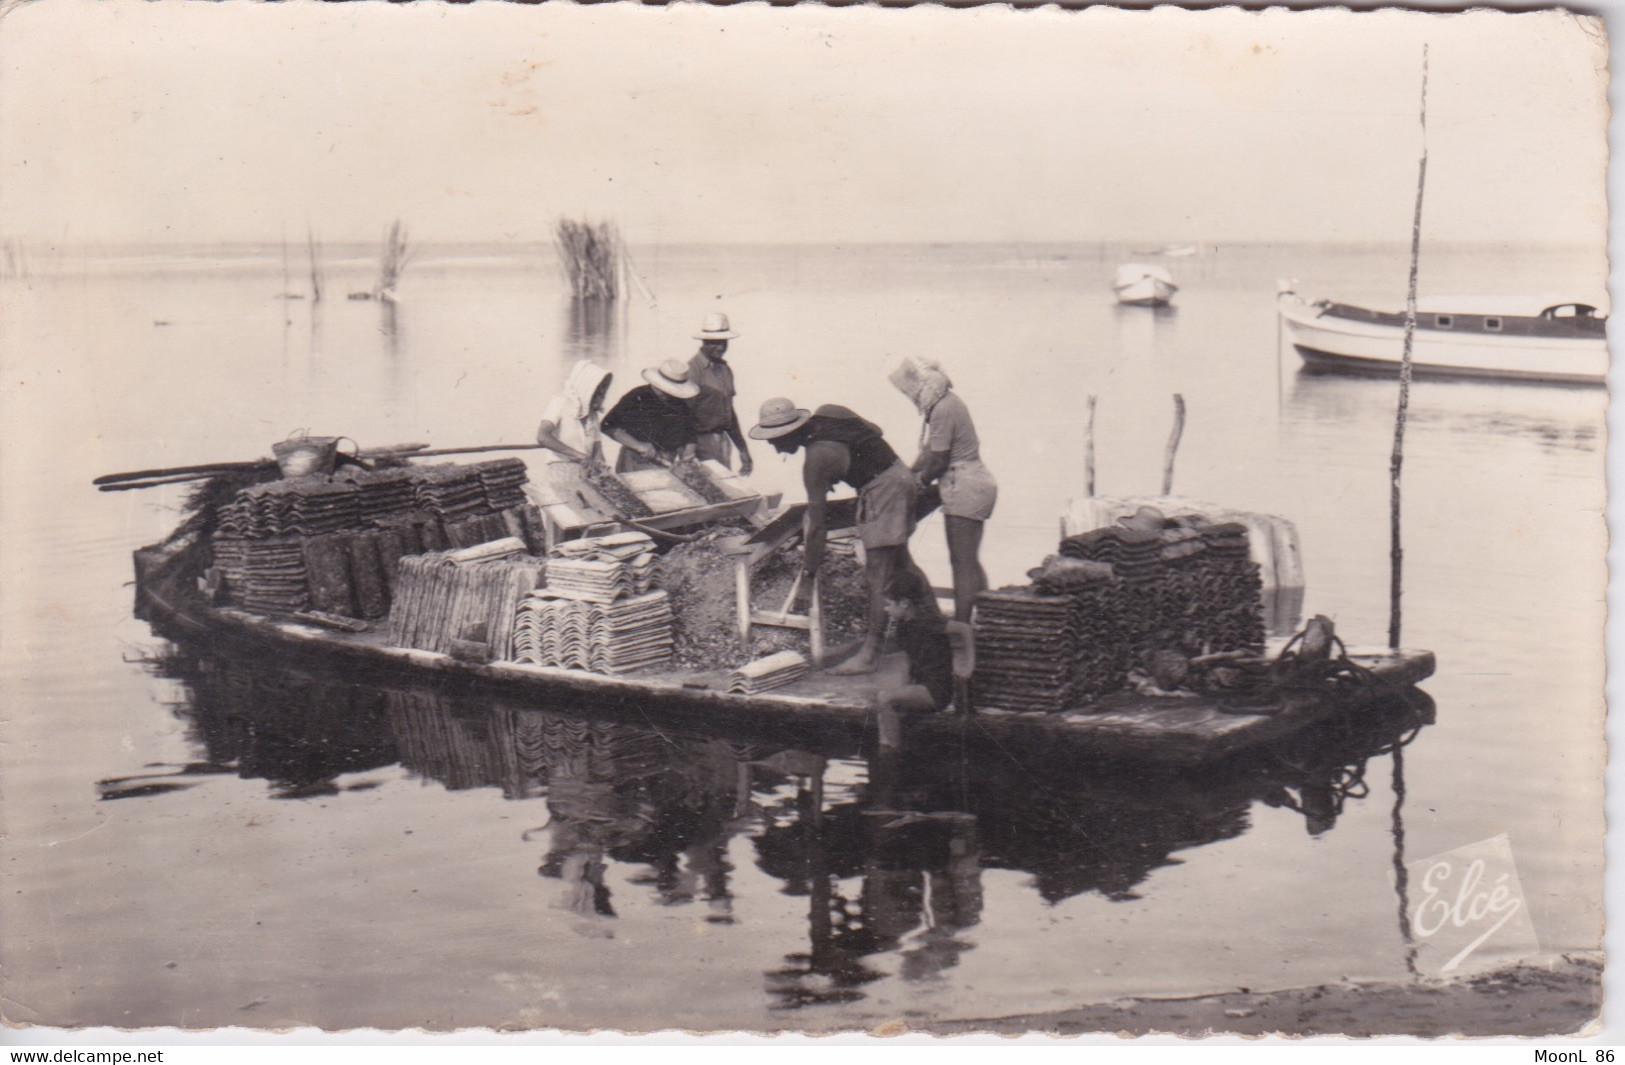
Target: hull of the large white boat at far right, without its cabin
(1332, 344)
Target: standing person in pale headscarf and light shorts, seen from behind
(951, 456)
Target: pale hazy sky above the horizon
(136, 121)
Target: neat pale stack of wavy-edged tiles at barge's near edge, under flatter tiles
(604, 638)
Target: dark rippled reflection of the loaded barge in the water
(891, 863)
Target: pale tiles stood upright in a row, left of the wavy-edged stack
(440, 599)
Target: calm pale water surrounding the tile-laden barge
(204, 843)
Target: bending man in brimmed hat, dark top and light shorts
(841, 446)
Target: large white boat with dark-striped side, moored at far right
(1558, 344)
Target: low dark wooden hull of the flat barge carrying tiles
(1185, 729)
